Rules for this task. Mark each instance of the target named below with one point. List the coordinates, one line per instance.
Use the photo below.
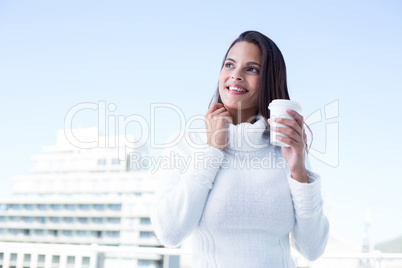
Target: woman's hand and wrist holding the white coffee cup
(294, 154)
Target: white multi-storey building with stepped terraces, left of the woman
(82, 197)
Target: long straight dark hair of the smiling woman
(273, 83)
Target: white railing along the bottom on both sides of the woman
(35, 255)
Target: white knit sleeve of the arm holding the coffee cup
(310, 233)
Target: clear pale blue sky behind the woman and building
(57, 54)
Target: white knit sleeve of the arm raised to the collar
(183, 190)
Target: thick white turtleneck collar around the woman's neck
(247, 136)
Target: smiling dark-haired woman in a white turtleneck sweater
(241, 197)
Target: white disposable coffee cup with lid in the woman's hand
(278, 110)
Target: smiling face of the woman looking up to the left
(239, 78)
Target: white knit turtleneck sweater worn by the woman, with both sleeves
(240, 204)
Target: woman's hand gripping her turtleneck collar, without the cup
(217, 120)
